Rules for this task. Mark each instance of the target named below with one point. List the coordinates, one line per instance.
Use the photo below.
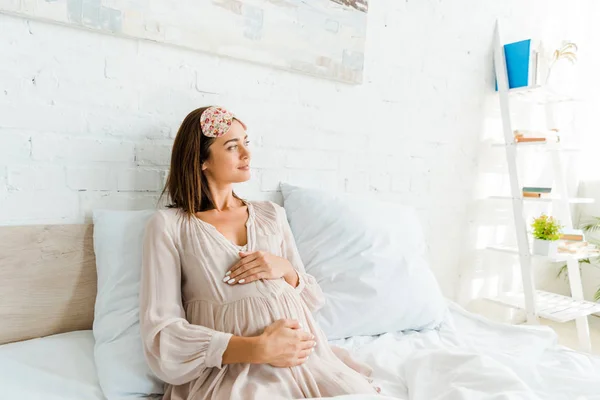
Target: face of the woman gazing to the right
(229, 159)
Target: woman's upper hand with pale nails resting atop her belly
(261, 265)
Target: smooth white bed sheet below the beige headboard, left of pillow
(58, 367)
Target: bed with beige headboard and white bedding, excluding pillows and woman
(47, 291)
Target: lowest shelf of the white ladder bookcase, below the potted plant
(552, 306)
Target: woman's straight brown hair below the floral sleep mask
(186, 183)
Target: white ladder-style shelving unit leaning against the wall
(538, 303)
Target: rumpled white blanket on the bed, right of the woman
(470, 358)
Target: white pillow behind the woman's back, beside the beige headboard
(122, 369)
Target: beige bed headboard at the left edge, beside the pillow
(47, 280)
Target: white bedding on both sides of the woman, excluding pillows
(468, 358)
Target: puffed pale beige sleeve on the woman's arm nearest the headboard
(176, 351)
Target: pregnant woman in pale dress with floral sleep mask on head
(226, 305)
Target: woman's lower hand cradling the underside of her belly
(284, 344)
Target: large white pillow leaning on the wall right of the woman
(369, 259)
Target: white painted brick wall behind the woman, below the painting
(87, 120)
